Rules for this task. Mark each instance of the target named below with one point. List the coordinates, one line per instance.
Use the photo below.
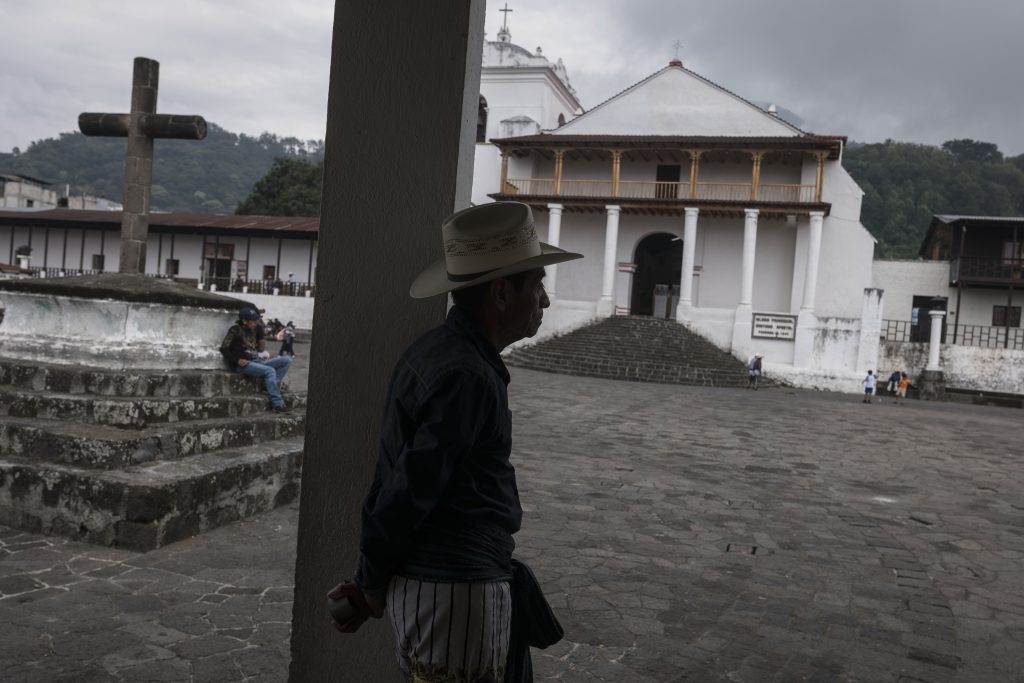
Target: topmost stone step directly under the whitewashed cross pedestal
(77, 380)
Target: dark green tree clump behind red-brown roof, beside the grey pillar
(292, 188)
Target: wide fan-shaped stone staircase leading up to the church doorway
(635, 349)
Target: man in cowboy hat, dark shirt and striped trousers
(438, 524)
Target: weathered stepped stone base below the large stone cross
(141, 459)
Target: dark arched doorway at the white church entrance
(660, 263)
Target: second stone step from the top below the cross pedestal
(134, 413)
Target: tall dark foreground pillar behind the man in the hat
(434, 59)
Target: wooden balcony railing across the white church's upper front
(652, 190)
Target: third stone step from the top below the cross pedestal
(108, 448)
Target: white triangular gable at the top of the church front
(677, 102)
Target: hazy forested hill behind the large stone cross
(201, 177)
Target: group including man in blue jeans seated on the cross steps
(244, 349)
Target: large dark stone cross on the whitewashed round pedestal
(142, 127)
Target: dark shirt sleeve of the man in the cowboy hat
(409, 485)
